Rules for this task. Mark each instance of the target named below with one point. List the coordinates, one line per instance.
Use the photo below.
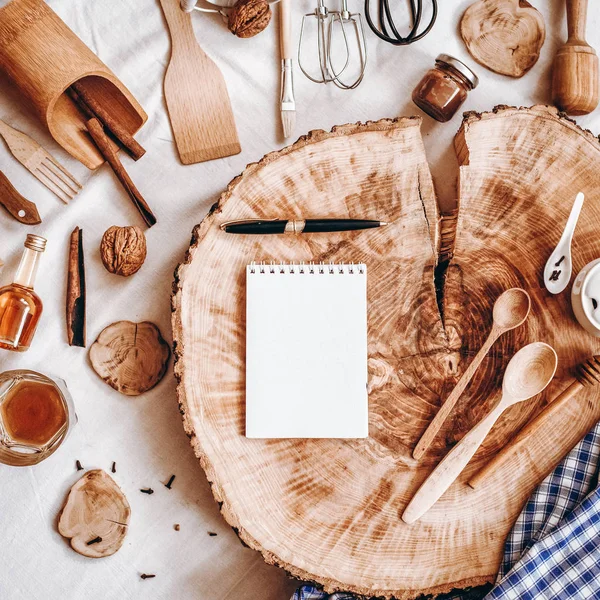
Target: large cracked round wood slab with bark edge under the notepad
(329, 510)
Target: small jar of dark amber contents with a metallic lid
(444, 88)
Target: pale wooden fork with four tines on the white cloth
(40, 163)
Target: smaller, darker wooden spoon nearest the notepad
(510, 310)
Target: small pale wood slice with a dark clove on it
(96, 515)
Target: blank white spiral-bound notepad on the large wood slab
(306, 351)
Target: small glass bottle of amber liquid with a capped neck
(20, 306)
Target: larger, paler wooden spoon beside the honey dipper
(529, 371)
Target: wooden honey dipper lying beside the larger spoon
(587, 374)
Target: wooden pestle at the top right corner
(575, 69)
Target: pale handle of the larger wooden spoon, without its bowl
(450, 468)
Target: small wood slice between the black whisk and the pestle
(505, 36)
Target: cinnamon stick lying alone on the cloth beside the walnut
(76, 291)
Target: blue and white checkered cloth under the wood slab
(553, 549)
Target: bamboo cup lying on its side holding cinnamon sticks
(43, 57)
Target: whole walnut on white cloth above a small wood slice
(123, 250)
